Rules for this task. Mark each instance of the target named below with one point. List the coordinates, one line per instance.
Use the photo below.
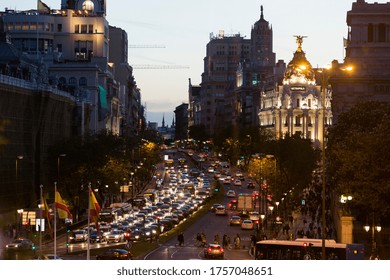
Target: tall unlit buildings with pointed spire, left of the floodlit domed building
(236, 70)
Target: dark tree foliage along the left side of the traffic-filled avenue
(104, 160)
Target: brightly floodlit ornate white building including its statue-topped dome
(296, 106)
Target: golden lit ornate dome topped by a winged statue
(299, 69)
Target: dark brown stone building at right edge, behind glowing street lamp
(367, 51)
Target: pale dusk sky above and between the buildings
(183, 27)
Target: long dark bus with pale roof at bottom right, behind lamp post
(307, 249)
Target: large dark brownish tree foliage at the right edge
(358, 153)
